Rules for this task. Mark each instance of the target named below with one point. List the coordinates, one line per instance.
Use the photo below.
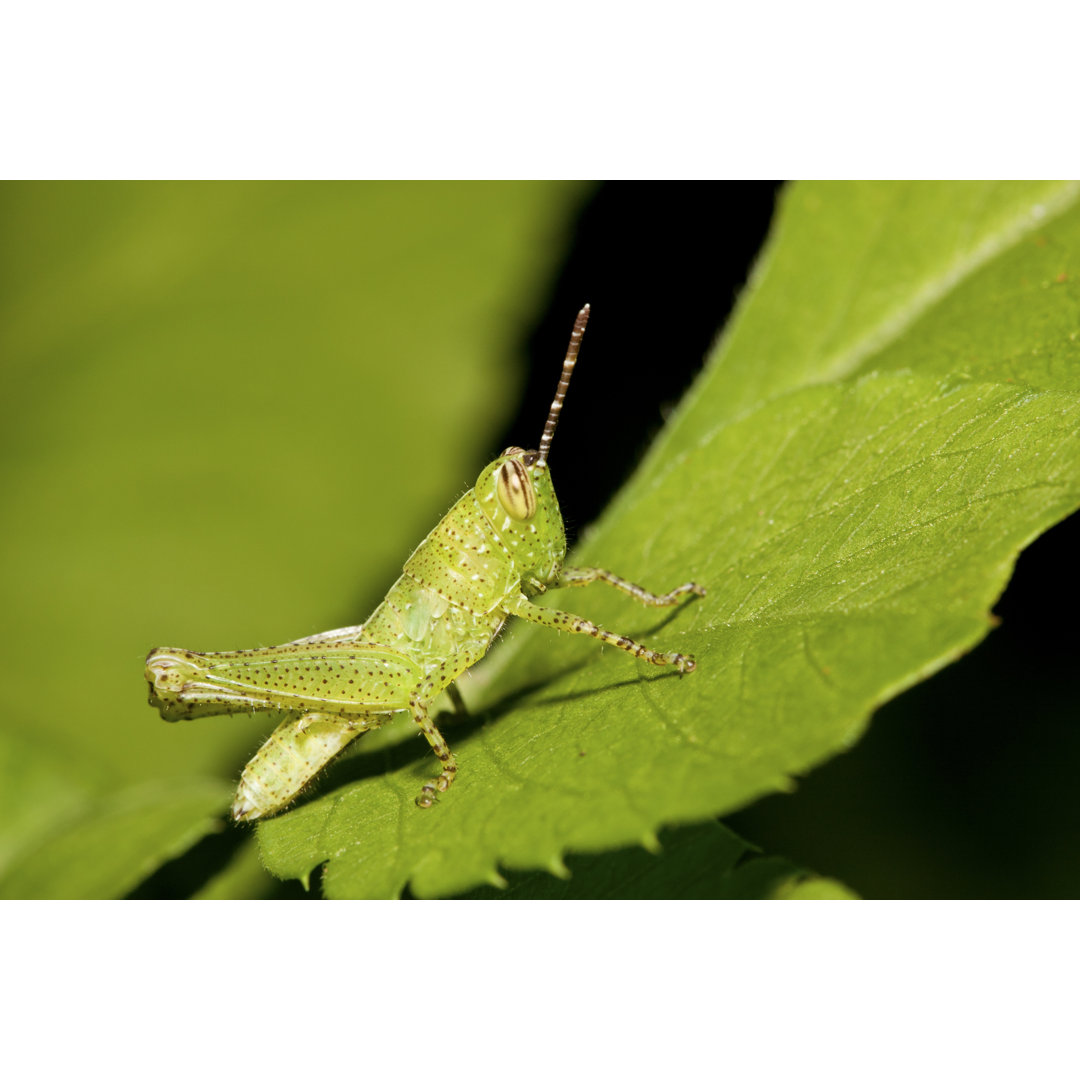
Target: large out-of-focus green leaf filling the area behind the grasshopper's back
(231, 410)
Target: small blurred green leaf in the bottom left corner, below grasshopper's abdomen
(118, 842)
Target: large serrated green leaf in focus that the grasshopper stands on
(892, 417)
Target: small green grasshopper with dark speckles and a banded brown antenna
(501, 545)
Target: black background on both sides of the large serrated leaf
(964, 787)
